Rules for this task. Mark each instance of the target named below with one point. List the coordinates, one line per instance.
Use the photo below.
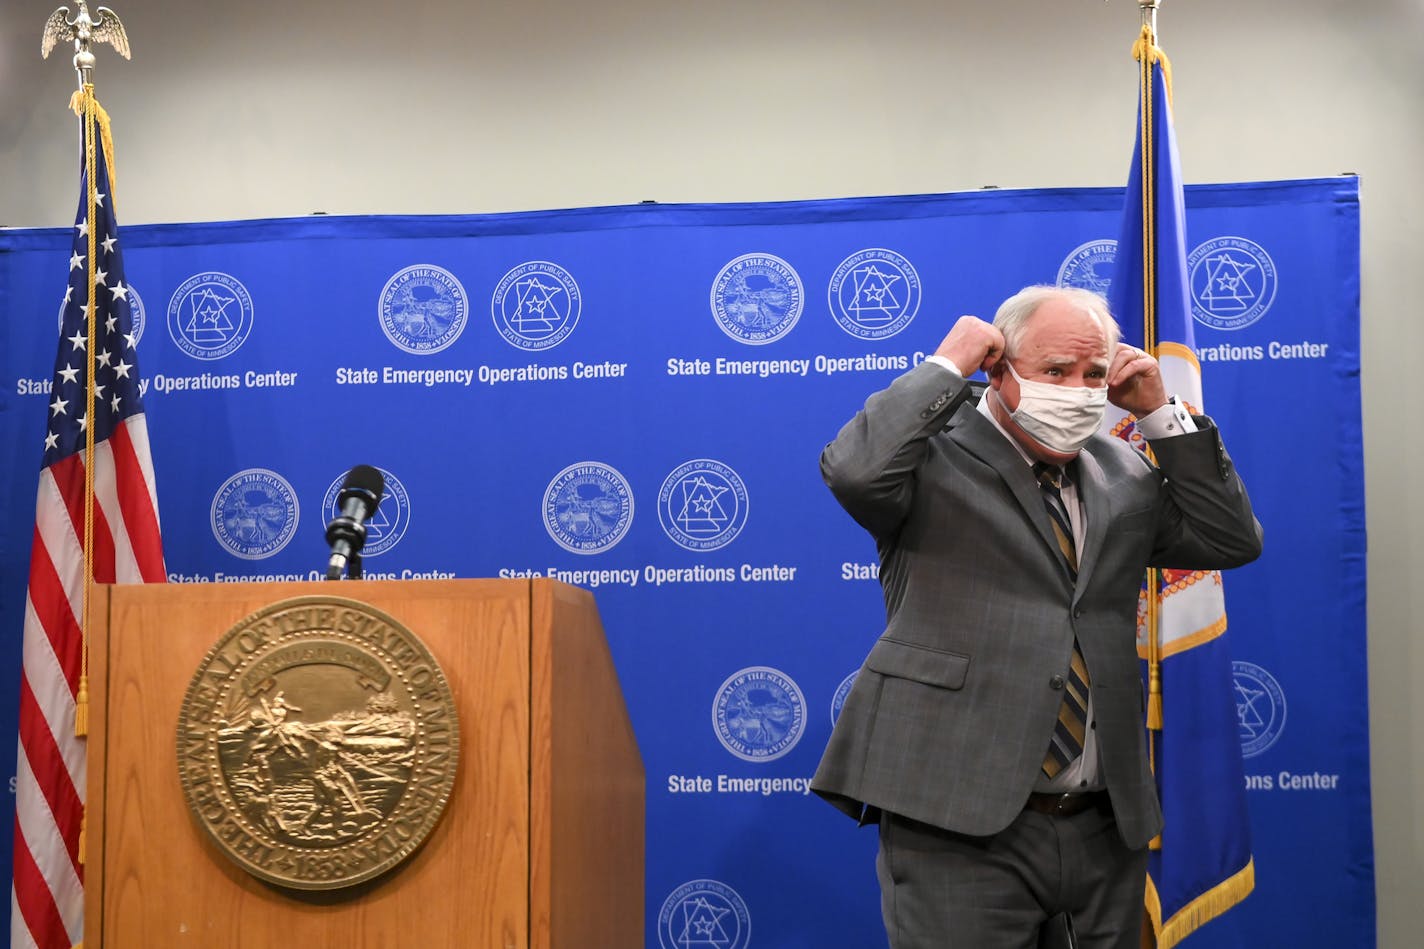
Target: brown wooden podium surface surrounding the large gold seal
(542, 844)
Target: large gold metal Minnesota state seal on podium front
(318, 743)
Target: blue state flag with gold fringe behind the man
(1203, 864)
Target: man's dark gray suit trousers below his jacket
(949, 891)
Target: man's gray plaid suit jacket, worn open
(952, 713)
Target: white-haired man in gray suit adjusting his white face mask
(996, 730)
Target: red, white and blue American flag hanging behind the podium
(48, 897)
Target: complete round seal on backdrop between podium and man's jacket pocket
(760, 715)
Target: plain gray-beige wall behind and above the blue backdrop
(277, 108)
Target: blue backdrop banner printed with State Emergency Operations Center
(634, 401)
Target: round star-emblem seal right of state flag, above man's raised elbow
(1234, 283)
